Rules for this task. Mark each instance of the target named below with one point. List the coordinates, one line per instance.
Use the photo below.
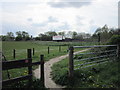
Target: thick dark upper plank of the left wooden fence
(15, 64)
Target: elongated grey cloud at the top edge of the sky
(68, 4)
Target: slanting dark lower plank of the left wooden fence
(6, 82)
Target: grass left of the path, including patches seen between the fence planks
(41, 47)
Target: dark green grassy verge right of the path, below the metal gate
(105, 76)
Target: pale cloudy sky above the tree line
(39, 16)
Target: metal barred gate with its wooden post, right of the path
(72, 61)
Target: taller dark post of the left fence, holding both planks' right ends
(29, 56)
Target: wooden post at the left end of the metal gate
(71, 64)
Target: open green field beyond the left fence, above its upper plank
(40, 48)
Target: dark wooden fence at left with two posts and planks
(6, 65)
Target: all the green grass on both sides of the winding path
(60, 70)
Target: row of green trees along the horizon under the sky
(101, 34)
